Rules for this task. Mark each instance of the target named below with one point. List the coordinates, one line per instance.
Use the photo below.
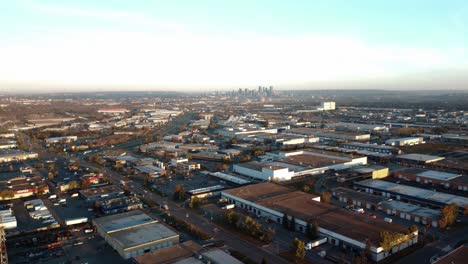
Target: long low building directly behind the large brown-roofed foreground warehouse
(410, 212)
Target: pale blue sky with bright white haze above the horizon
(211, 44)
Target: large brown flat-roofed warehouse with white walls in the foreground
(271, 201)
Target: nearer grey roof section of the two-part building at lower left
(139, 235)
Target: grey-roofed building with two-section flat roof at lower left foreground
(134, 233)
